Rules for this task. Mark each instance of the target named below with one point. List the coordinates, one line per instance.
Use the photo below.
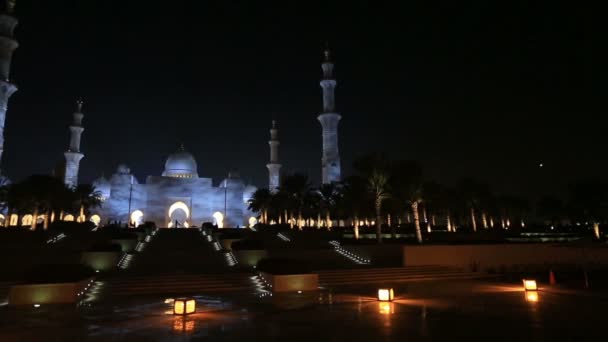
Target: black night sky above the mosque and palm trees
(481, 89)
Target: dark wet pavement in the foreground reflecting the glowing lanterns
(422, 311)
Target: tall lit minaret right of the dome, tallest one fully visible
(329, 121)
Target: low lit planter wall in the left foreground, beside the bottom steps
(55, 293)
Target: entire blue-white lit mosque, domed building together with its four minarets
(178, 197)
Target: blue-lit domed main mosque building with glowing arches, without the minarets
(177, 198)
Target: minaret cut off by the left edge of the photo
(7, 46)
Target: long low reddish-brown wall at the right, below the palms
(503, 256)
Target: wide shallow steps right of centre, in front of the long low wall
(393, 275)
